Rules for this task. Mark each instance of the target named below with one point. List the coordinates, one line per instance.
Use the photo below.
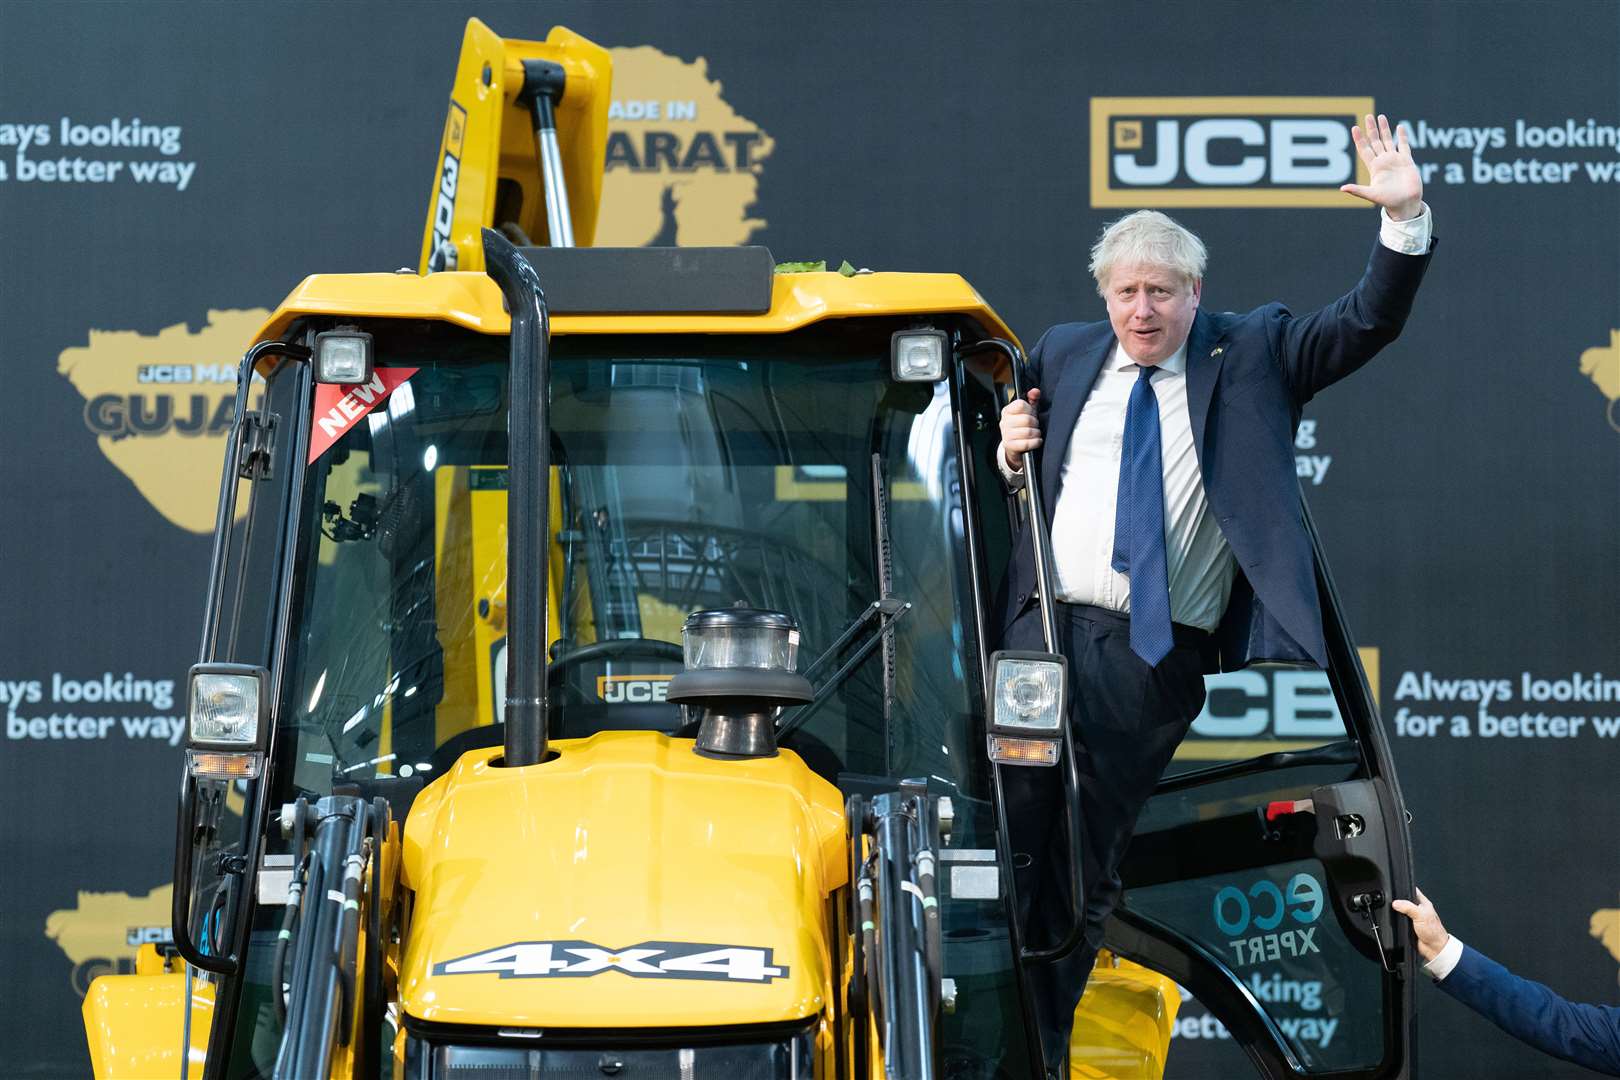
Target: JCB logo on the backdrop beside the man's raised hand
(1226, 151)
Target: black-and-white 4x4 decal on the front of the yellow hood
(650, 959)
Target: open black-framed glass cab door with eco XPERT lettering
(1263, 872)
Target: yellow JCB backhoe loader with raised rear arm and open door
(605, 666)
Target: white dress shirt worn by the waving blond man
(1083, 524)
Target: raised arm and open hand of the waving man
(1326, 346)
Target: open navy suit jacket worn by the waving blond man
(1248, 380)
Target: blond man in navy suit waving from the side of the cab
(1175, 521)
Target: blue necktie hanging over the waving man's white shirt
(1140, 524)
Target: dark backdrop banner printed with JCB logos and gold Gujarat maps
(168, 172)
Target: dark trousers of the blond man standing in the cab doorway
(1127, 720)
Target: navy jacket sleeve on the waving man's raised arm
(1326, 346)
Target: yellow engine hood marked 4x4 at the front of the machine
(625, 883)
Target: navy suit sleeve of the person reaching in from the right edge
(1588, 1035)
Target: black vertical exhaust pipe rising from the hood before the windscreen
(529, 508)
